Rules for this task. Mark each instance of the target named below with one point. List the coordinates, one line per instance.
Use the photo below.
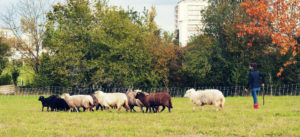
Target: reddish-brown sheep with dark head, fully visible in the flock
(154, 100)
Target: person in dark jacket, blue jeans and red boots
(254, 83)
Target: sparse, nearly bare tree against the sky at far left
(30, 31)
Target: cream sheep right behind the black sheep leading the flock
(77, 101)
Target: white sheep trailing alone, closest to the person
(206, 97)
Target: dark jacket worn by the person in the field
(253, 79)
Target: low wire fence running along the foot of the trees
(272, 90)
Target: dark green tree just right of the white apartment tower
(229, 56)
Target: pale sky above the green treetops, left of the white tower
(165, 9)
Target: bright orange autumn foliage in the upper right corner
(277, 19)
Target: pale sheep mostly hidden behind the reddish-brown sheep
(132, 101)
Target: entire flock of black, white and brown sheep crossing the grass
(128, 100)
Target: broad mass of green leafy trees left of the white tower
(107, 46)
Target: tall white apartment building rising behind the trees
(188, 19)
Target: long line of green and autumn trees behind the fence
(96, 44)
